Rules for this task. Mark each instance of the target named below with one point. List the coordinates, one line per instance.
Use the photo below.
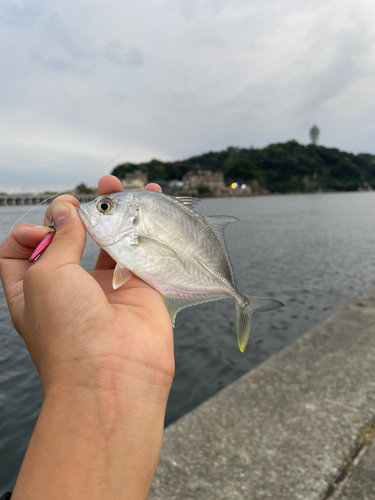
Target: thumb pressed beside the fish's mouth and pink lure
(69, 241)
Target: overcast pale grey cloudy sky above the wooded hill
(82, 81)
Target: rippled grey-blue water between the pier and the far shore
(312, 252)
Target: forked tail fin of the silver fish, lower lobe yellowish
(244, 312)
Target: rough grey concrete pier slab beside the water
(288, 429)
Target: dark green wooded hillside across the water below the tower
(283, 168)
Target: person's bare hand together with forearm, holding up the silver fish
(105, 358)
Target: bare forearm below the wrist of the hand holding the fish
(90, 444)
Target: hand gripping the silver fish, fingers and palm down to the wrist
(73, 322)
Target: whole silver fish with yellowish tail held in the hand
(163, 241)
